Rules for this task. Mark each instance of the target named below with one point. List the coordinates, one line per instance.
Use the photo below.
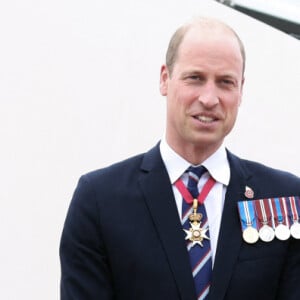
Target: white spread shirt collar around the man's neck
(217, 164)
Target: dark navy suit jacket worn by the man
(123, 239)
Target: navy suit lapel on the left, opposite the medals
(156, 186)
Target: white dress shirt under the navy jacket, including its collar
(218, 167)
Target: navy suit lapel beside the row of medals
(230, 237)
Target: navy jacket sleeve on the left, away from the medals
(85, 272)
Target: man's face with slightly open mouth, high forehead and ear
(204, 90)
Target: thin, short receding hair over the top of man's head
(209, 24)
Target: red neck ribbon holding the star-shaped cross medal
(202, 195)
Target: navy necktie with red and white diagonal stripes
(200, 257)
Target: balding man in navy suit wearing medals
(123, 238)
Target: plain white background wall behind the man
(79, 90)
